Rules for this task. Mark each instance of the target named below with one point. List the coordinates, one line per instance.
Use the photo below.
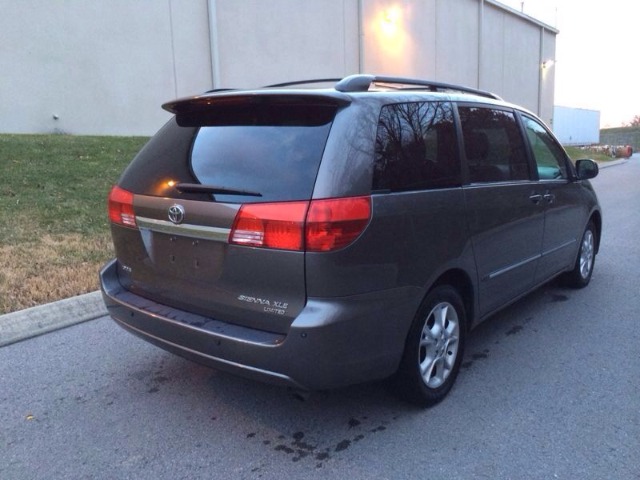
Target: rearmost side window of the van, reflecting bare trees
(416, 147)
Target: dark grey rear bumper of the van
(332, 343)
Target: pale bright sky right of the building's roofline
(597, 54)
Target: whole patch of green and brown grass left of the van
(53, 218)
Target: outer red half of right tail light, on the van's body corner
(335, 223)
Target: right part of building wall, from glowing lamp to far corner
(477, 43)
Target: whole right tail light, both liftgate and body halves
(316, 226)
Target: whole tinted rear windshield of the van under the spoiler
(271, 151)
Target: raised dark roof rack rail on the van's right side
(362, 83)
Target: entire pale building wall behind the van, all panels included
(106, 66)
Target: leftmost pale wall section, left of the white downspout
(100, 67)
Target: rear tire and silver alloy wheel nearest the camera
(434, 348)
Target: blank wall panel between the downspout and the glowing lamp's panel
(260, 42)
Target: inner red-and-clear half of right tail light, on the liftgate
(270, 225)
